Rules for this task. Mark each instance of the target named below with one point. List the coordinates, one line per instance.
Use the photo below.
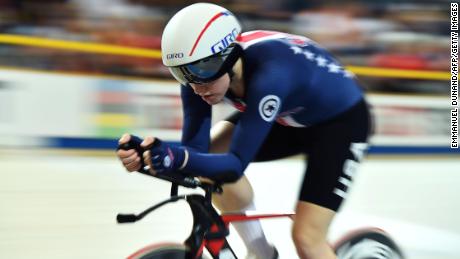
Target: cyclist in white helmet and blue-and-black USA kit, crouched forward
(292, 97)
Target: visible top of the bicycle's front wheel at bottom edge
(163, 251)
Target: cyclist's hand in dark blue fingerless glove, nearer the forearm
(161, 157)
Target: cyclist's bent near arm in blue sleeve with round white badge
(266, 91)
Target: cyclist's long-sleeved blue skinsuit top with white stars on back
(288, 79)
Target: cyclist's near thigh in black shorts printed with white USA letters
(334, 154)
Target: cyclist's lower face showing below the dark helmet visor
(213, 92)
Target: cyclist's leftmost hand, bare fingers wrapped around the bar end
(130, 158)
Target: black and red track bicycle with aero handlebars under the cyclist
(210, 229)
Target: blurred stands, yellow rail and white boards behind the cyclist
(74, 59)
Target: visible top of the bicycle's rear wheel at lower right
(369, 243)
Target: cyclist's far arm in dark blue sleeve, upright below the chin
(197, 121)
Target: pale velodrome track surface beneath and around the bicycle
(55, 205)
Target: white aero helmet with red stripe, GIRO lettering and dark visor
(197, 42)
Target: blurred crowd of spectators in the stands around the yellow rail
(390, 34)
